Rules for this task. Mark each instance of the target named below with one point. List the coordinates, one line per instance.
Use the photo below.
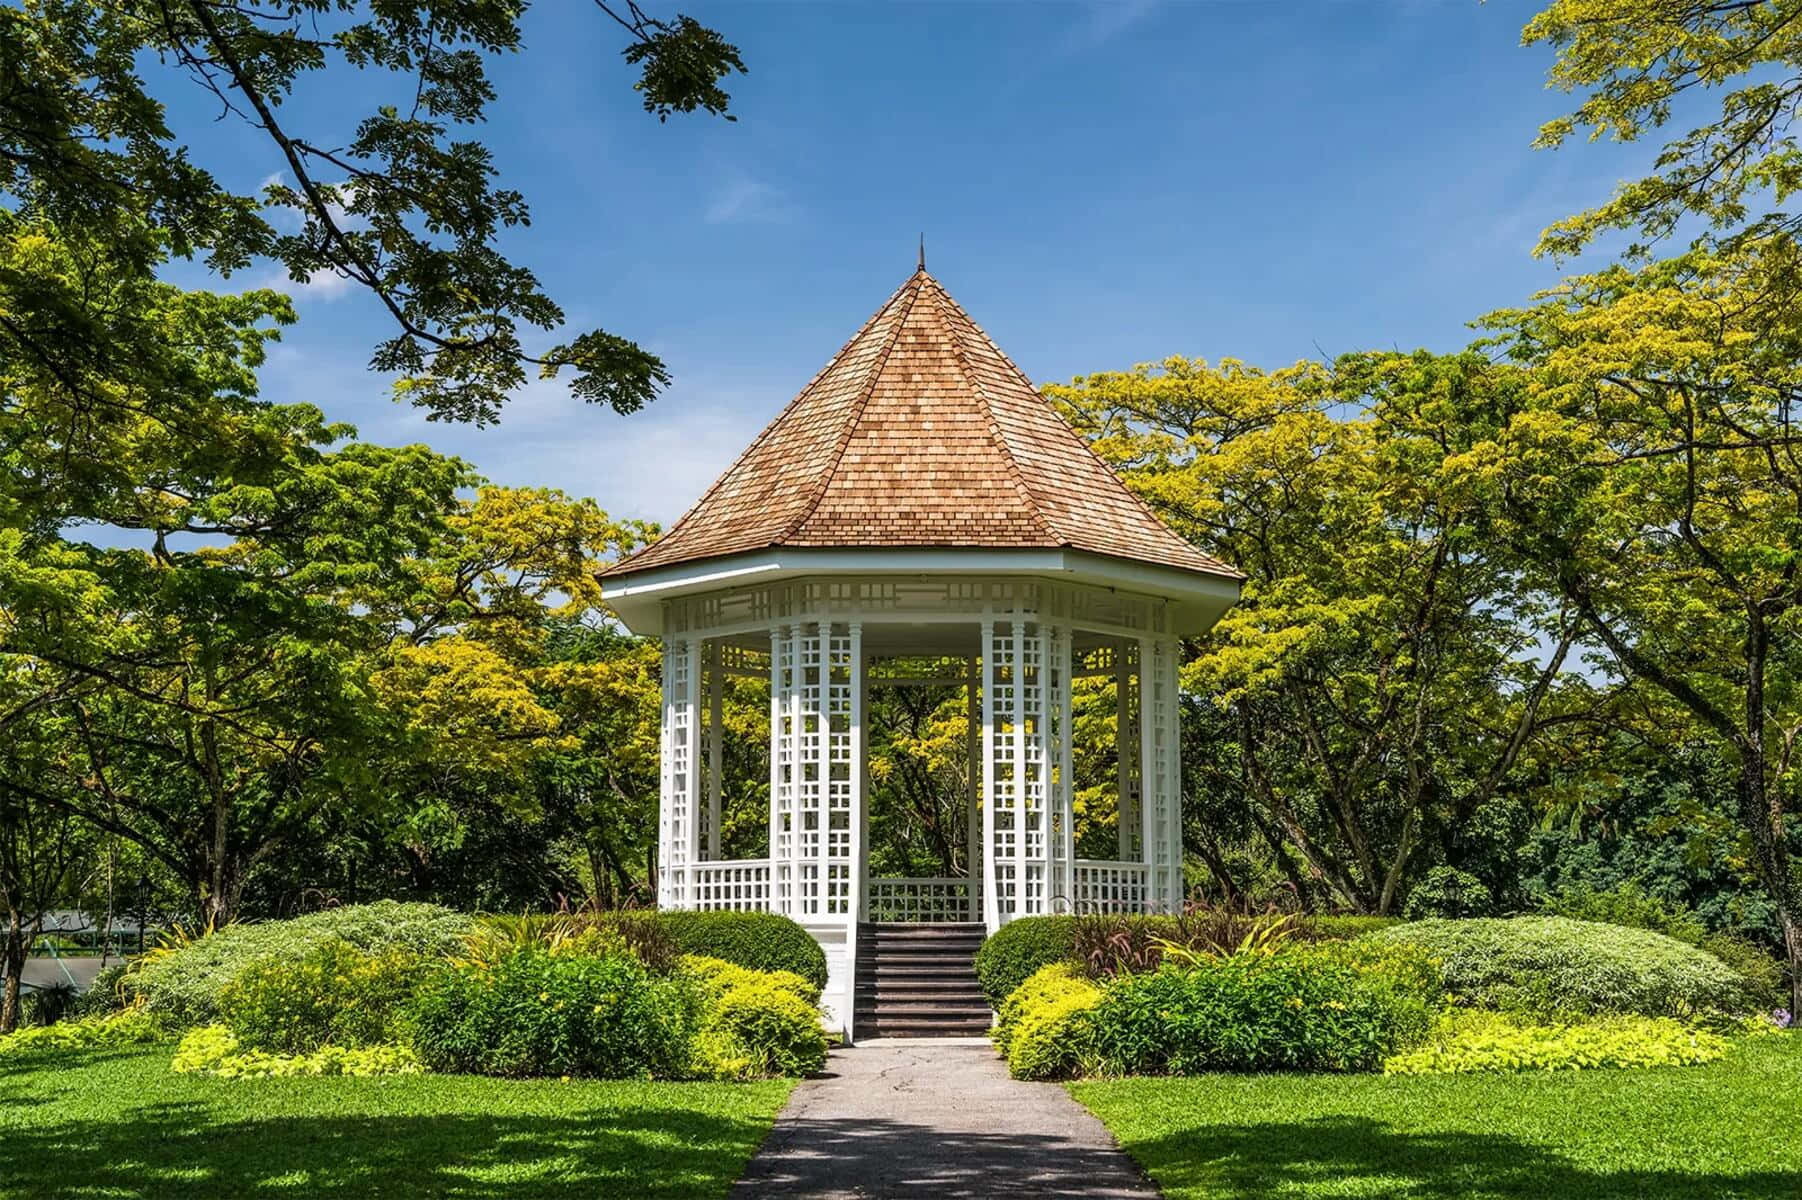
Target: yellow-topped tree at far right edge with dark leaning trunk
(1650, 478)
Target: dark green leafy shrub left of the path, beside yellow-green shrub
(534, 1014)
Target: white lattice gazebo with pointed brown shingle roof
(920, 504)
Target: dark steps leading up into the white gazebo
(916, 981)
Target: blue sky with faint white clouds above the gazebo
(1098, 185)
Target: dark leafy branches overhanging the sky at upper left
(401, 206)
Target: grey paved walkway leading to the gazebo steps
(936, 1118)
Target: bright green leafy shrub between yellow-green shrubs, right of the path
(1336, 1006)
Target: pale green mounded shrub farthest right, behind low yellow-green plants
(1558, 968)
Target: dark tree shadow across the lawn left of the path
(183, 1150)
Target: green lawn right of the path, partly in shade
(1718, 1132)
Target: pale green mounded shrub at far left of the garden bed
(185, 983)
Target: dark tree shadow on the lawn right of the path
(1365, 1158)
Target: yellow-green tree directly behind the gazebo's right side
(1378, 693)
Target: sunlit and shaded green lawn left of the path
(118, 1123)
